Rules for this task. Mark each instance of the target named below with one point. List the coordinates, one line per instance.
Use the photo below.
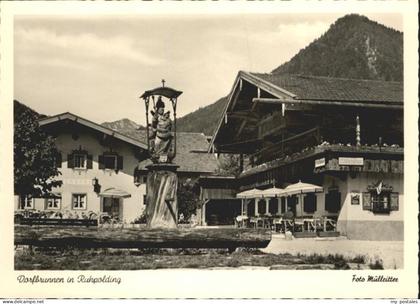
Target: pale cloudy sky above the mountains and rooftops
(98, 66)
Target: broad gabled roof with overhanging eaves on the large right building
(273, 90)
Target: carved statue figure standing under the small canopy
(161, 135)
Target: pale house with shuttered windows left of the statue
(96, 168)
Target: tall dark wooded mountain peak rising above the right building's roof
(353, 47)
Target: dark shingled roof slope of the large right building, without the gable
(337, 89)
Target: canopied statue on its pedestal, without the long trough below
(162, 180)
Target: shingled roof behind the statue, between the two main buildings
(191, 153)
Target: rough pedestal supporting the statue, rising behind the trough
(162, 205)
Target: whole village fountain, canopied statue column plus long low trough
(161, 201)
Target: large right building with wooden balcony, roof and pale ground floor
(344, 135)
